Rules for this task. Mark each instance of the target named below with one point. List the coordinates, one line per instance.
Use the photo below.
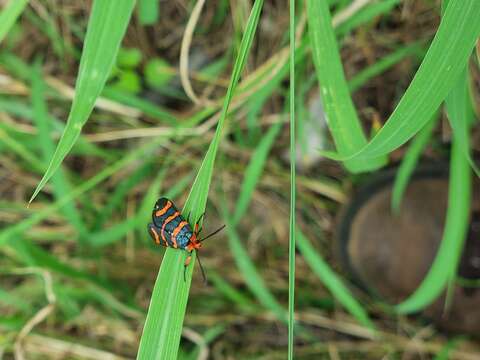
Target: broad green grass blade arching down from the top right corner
(437, 75)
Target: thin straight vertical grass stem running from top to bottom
(291, 242)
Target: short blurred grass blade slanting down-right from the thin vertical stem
(332, 281)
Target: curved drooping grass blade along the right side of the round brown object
(457, 219)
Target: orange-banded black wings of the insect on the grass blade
(173, 230)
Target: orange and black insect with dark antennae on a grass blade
(169, 228)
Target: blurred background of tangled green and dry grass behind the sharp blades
(78, 267)
